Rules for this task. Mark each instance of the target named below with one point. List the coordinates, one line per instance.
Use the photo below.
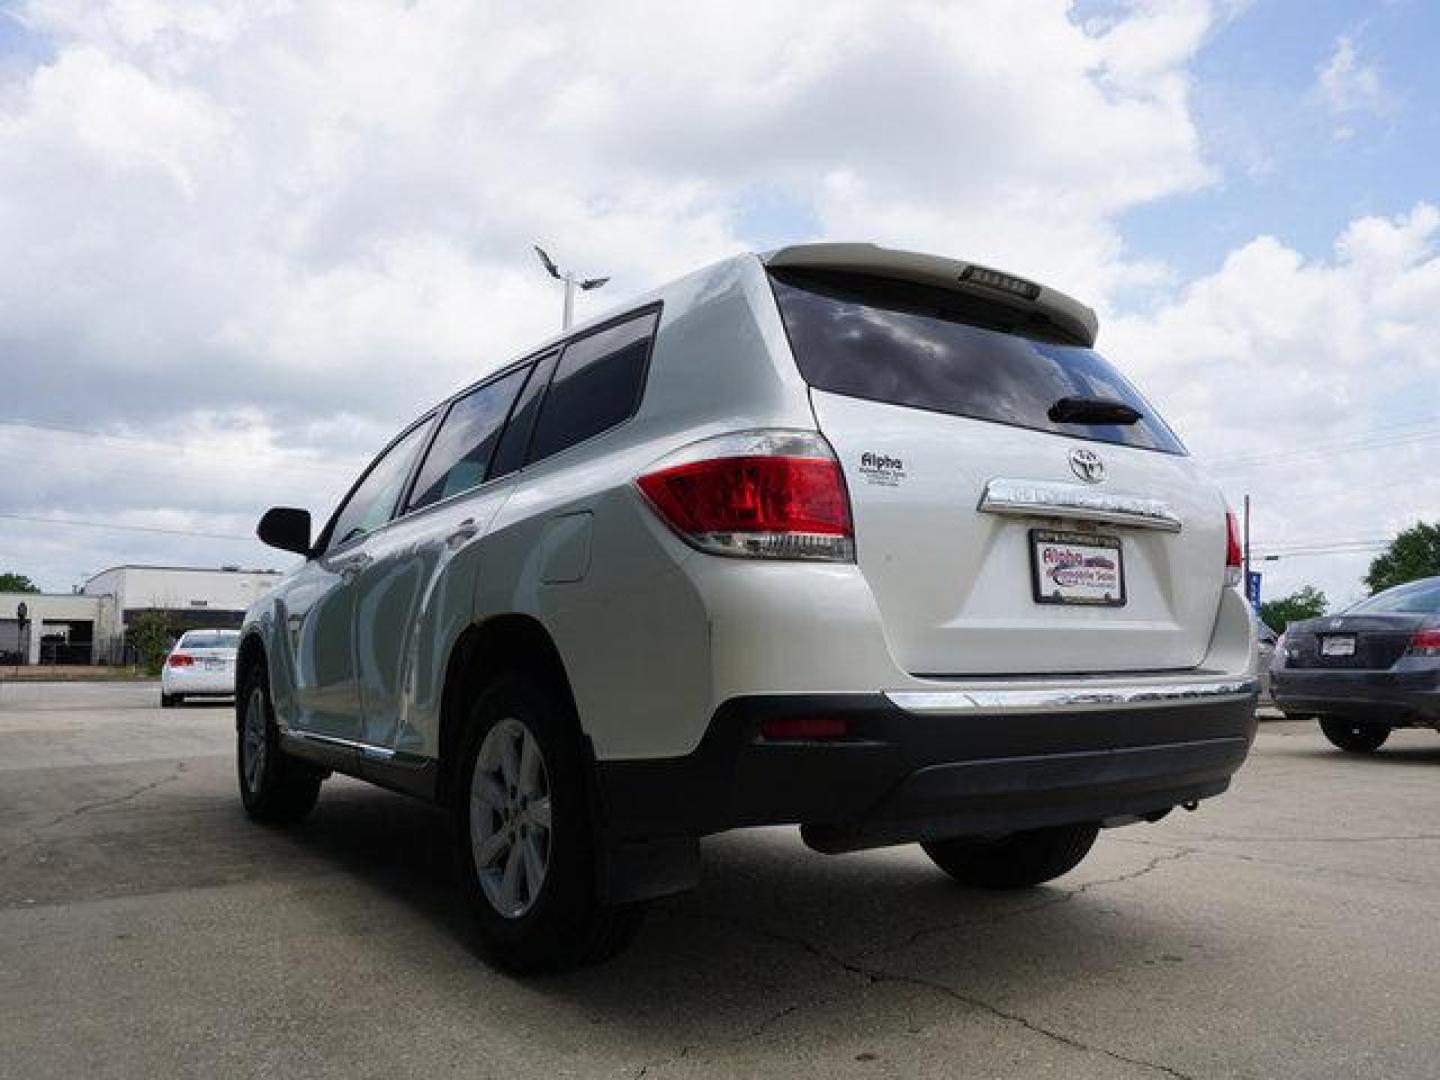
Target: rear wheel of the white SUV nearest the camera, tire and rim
(525, 834)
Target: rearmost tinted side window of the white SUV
(597, 385)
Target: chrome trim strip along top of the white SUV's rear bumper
(1074, 699)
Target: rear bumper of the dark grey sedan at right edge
(1408, 693)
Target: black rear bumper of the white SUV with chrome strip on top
(930, 765)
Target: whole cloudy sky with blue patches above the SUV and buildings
(246, 241)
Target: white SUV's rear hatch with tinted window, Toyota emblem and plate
(996, 539)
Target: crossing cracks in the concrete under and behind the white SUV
(875, 976)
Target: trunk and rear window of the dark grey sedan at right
(1372, 636)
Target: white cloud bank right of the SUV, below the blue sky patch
(1311, 385)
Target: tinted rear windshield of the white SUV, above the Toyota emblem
(909, 345)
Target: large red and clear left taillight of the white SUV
(765, 495)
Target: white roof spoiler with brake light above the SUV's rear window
(1025, 302)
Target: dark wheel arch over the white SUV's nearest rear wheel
(483, 652)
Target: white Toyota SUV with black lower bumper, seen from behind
(837, 536)
